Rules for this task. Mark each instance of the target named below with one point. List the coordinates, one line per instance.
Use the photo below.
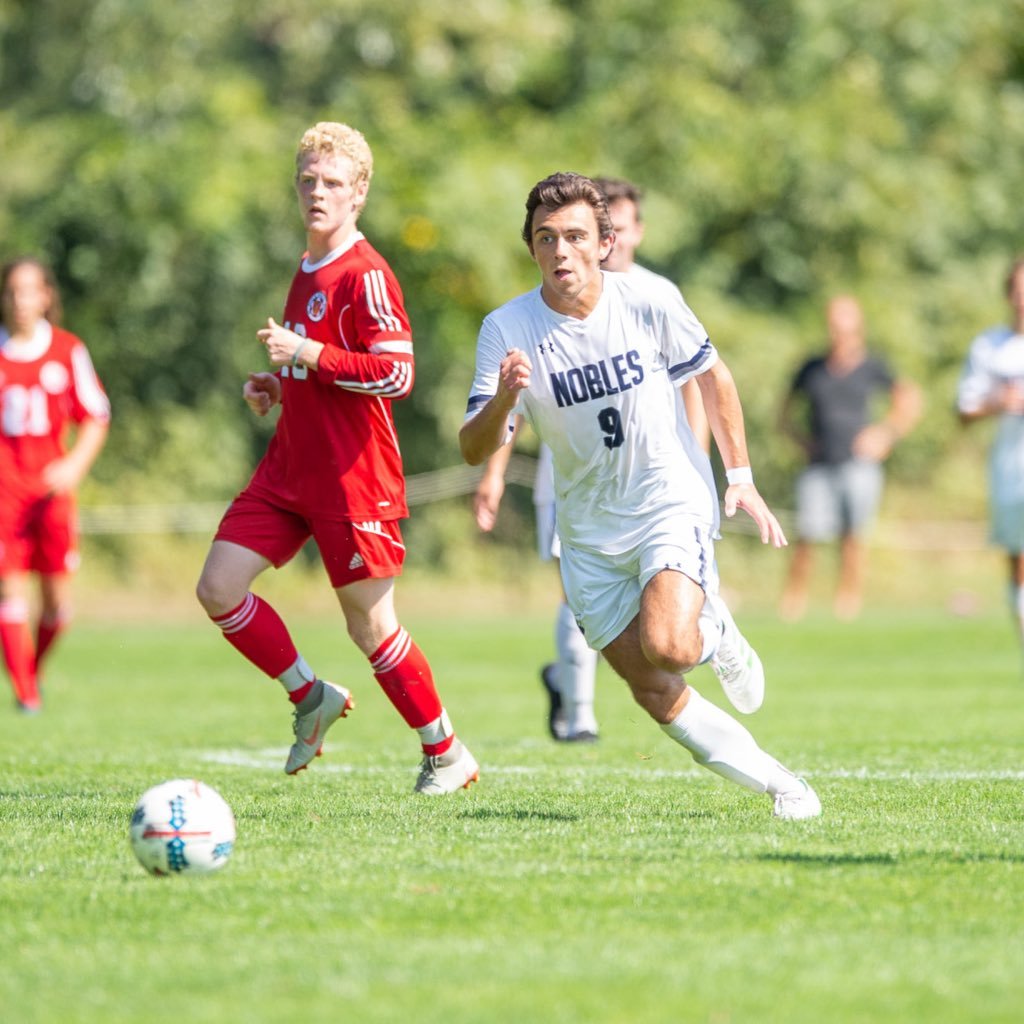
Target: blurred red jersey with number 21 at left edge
(46, 386)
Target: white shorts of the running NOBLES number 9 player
(604, 590)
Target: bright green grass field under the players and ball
(615, 883)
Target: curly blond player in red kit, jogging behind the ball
(333, 471)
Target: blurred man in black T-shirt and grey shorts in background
(839, 492)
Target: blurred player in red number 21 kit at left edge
(48, 383)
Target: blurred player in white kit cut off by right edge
(993, 385)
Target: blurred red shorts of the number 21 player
(38, 535)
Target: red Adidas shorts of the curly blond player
(351, 551)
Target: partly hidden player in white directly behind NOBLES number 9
(570, 681)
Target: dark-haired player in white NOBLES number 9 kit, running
(593, 363)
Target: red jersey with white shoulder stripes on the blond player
(335, 451)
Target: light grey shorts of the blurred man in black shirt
(835, 501)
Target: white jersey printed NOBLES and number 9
(604, 396)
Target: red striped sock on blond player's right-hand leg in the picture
(405, 676)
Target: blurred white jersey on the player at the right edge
(996, 360)
